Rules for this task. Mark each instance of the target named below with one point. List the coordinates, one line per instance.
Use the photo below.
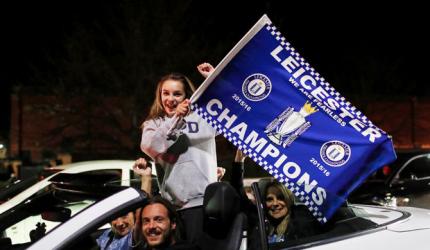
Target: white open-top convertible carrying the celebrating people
(353, 227)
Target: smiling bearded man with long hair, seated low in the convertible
(158, 227)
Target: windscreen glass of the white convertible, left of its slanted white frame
(33, 218)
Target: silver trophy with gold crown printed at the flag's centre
(289, 125)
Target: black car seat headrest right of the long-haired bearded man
(221, 205)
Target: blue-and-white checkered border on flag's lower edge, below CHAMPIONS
(260, 161)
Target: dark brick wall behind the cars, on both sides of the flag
(103, 126)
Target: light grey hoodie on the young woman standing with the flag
(187, 155)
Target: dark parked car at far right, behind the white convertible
(407, 185)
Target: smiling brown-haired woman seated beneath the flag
(278, 200)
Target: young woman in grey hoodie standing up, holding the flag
(184, 145)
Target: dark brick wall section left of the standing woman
(100, 126)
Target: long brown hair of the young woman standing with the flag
(157, 109)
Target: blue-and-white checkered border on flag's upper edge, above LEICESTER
(336, 95)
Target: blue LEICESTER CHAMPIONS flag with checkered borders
(268, 101)
